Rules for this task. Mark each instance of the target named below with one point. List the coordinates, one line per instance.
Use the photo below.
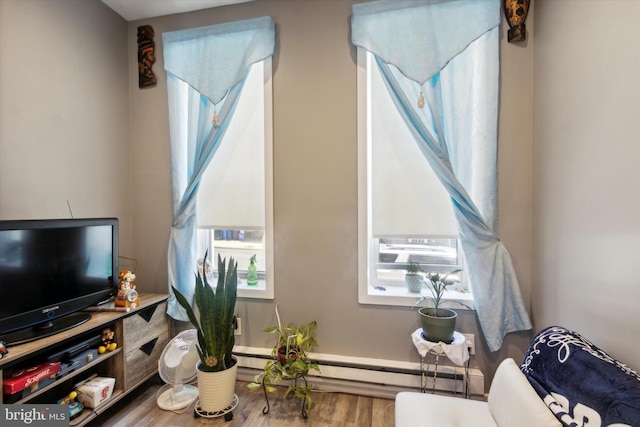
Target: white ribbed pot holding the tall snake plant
(217, 388)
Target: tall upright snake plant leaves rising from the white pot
(214, 322)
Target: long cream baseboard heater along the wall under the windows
(368, 377)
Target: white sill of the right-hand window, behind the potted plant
(399, 296)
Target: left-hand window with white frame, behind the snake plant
(235, 214)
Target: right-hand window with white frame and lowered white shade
(405, 214)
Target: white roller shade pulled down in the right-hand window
(407, 199)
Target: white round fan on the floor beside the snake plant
(177, 368)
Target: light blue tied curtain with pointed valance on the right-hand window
(446, 52)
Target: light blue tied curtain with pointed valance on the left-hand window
(206, 68)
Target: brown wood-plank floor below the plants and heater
(329, 409)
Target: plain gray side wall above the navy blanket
(586, 218)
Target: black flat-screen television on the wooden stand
(51, 270)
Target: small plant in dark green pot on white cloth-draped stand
(438, 323)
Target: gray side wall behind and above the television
(64, 122)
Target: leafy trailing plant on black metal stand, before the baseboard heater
(289, 361)
